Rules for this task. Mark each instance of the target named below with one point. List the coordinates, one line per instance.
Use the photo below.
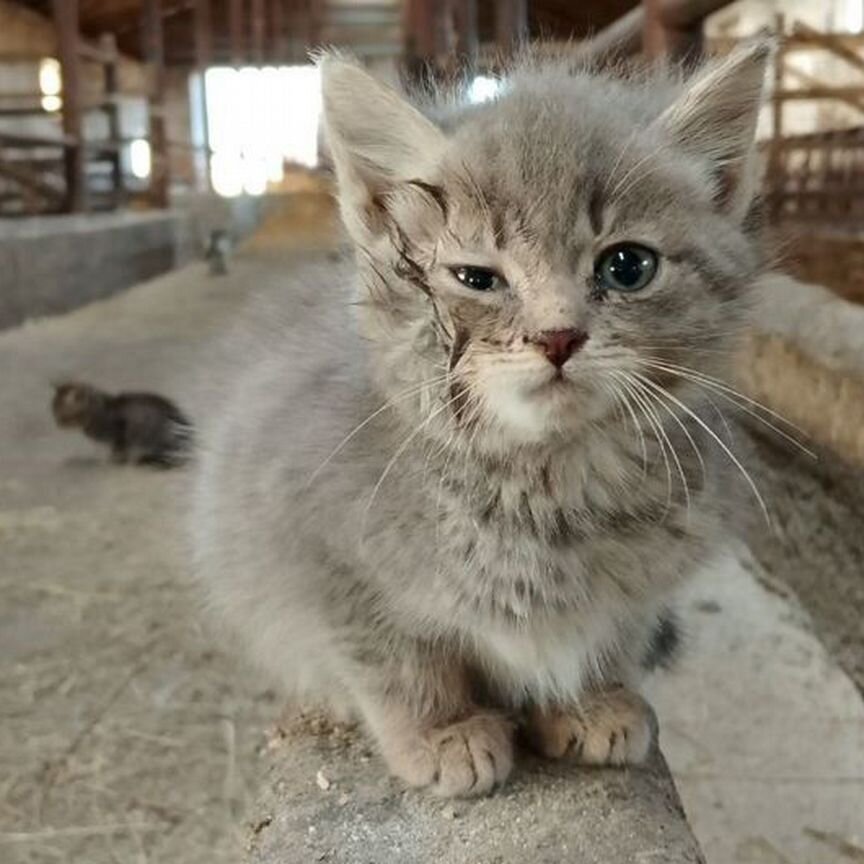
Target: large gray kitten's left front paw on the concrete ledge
(466, 758)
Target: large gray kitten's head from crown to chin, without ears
(566, 254)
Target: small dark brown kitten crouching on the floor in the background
(140, 427)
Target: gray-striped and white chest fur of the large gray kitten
(552, 571)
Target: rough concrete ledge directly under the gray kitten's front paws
(328, 799)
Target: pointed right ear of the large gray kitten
(715, 119)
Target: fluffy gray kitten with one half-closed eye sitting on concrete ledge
(455, 491)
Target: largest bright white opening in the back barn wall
(258, 119)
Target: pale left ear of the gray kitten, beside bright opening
(376, 140)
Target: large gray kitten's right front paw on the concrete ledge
(611, 727)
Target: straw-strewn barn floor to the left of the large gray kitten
(125, 735)
